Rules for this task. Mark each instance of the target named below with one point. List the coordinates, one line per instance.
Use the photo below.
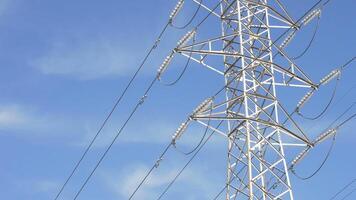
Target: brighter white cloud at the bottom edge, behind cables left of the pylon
(129, 178)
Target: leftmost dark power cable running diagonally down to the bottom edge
(112, 110)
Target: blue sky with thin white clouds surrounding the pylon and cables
(63, 63)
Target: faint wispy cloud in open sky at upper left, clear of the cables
(85, 59)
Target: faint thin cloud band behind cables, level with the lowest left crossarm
(151, 132)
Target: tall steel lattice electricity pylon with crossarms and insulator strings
(250, 55)
